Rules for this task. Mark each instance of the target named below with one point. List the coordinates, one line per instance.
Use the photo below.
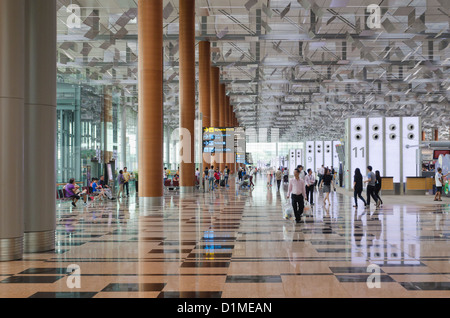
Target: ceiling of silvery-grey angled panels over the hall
(301, 67)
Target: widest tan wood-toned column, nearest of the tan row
(150, 117)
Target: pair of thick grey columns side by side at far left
(27, 127)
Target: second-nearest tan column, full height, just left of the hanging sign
(187, 95)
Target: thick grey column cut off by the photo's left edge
(11, 128)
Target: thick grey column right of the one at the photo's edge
(40, 126)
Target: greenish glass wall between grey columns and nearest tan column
(89, 131)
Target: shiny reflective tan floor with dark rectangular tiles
(233, 243)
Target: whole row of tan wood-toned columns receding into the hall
(214, 104)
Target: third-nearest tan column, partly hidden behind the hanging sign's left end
(205, 89)
